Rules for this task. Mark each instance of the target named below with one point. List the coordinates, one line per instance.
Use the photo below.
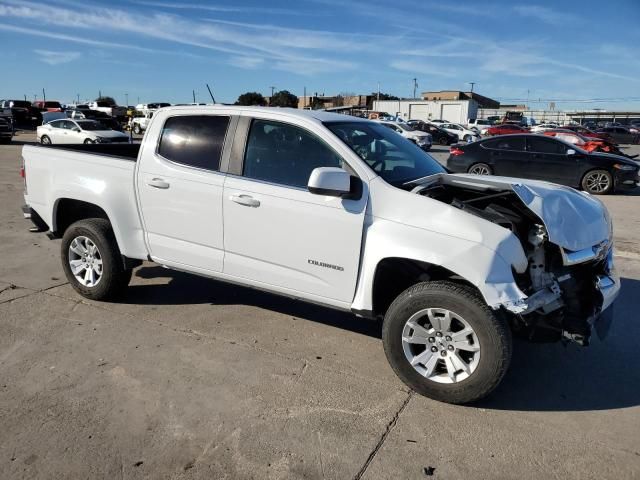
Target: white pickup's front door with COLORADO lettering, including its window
(277, 233)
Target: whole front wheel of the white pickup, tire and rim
(444, 342)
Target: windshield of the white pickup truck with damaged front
(394, 158)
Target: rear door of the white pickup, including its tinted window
(180, 191)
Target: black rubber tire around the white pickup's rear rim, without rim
(115, 277)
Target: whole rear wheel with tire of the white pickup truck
(92, 261)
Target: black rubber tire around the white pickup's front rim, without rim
(491, 329)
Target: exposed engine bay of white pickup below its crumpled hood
(563, 286)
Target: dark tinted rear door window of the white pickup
(194, 140)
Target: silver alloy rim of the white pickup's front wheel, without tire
(440, 345)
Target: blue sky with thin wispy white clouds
(580, 54)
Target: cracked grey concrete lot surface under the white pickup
(191, 378)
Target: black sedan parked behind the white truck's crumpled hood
(544, 158)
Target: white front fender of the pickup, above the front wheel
(428, 231)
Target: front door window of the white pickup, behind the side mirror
(285, 154)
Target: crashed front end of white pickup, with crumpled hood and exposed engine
(569, 283)
